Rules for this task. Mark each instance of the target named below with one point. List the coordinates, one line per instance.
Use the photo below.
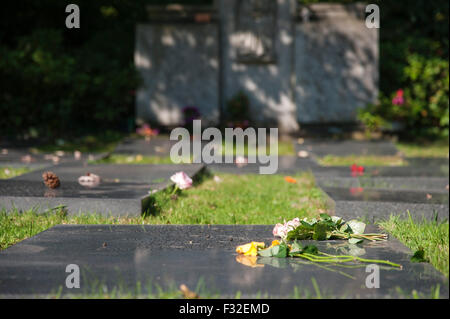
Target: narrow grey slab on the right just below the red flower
(396, 183)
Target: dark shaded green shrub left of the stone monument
(51, 93)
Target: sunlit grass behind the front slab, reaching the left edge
(246, 199)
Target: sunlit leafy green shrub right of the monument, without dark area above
(424, 110)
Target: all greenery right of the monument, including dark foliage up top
(414, 55)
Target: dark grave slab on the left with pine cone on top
(124, 189)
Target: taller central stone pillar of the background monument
(268, 85)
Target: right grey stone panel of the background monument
(336, 64)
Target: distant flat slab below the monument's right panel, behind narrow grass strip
(346, 147)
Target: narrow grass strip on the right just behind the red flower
(364, 160)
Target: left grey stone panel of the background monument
(179, 66)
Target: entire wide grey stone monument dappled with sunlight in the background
(297, 65)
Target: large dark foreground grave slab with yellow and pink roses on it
(115, 256)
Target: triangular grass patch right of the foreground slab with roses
(432, 236)
